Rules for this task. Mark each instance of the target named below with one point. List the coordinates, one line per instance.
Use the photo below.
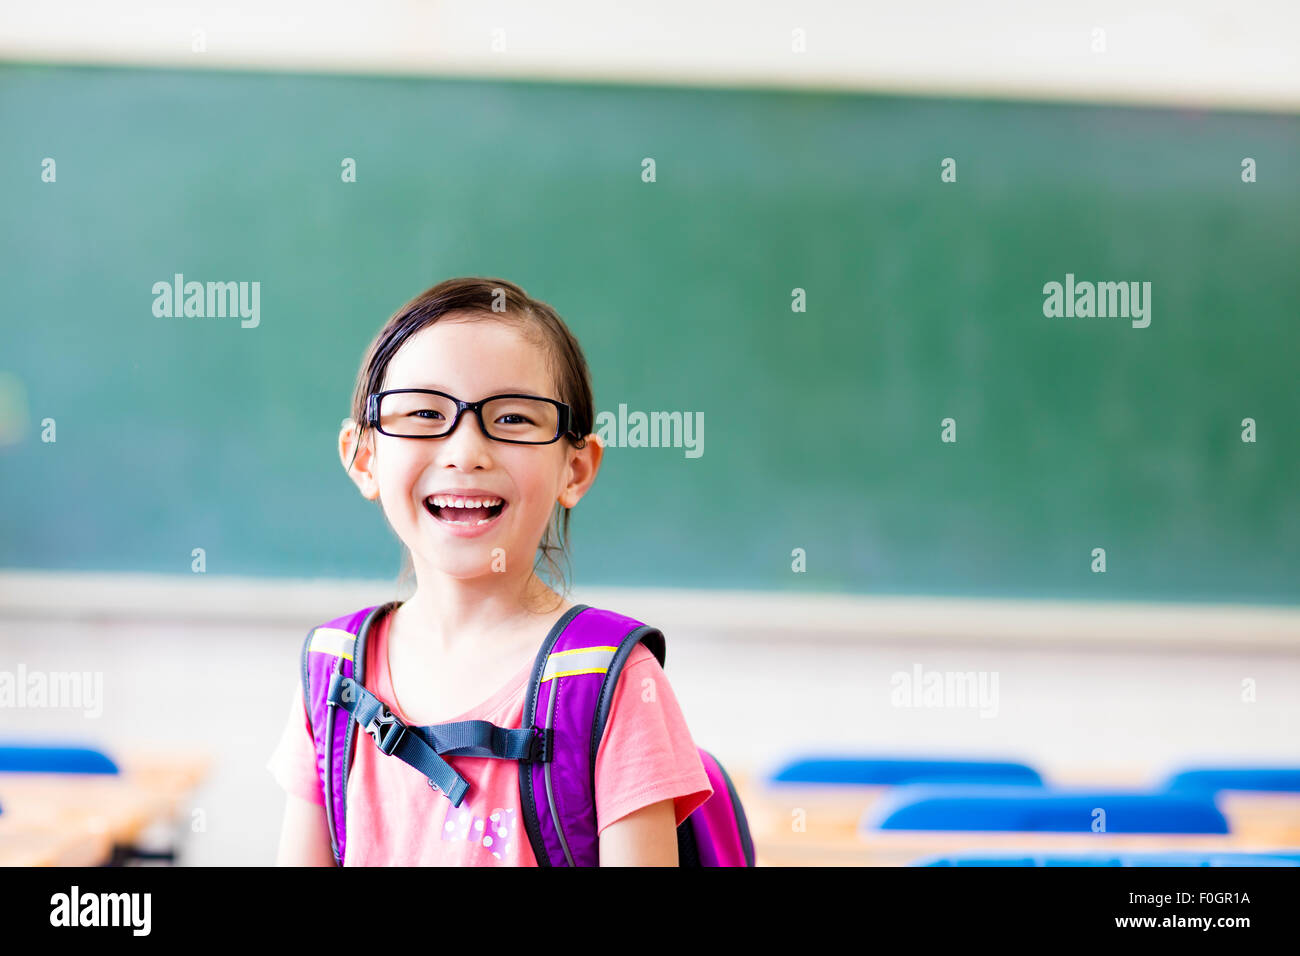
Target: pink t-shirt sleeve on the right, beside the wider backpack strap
(647, 754)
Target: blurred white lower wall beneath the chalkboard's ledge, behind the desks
(1076, 715)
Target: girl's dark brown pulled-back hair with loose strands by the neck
(478, 299)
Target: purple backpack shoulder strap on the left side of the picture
(336, 648)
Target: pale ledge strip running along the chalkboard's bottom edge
(740, 615)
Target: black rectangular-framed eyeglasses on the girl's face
(428, 414)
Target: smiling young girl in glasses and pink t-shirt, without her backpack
(473, 505)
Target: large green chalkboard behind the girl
(822, 427)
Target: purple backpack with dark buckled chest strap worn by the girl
(566, 710)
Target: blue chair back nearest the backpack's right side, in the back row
(894, 772)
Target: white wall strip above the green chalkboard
(1193, 53)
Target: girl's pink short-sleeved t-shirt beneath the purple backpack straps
(395, 819)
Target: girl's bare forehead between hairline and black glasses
(475, 356)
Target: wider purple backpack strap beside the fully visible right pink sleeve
(569, 699)
